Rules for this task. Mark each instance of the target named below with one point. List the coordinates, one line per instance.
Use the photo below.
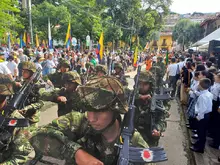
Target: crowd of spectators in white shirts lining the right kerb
(195, 80)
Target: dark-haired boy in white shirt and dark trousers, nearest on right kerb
(203, 108)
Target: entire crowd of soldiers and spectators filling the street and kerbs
(91, 93)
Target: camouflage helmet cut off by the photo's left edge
(6, 87)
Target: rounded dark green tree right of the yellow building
(187, 32)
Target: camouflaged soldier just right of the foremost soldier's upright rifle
(149, 124)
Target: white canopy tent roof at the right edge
(213, 36)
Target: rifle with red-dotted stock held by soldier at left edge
(7, 124)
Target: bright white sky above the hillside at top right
(190, 6)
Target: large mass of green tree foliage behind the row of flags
(118, 19)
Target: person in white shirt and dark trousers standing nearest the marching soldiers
(171, 73)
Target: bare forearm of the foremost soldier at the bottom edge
(83, 158)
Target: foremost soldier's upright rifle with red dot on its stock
(128, 154)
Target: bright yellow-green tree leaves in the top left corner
(10, 19)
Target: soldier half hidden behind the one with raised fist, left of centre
(55, 78)
